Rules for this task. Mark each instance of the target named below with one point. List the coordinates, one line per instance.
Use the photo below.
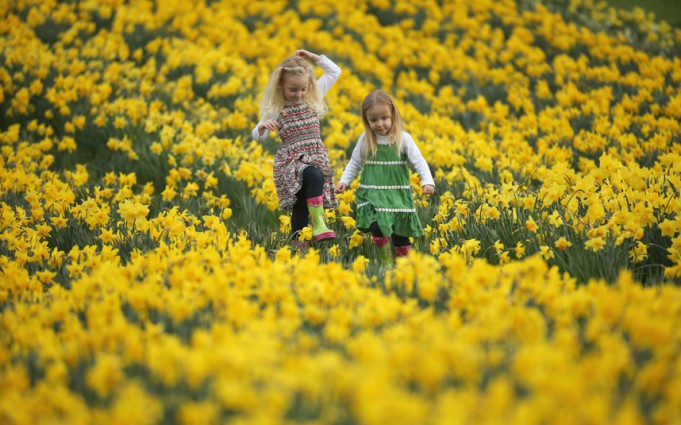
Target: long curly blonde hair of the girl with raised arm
(273, 100)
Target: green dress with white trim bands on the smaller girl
(384, 195)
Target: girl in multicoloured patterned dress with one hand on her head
(292, 104)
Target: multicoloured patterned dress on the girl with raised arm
(301, 147)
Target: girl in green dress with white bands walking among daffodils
(385, 205)
